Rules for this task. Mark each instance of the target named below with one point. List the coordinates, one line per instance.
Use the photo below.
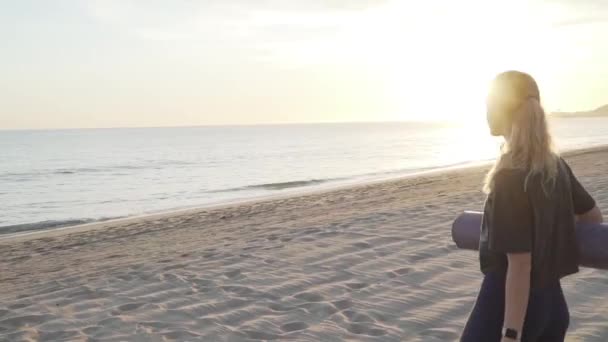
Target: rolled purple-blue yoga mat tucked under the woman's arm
(592, 238)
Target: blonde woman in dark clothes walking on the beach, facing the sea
(527, 241)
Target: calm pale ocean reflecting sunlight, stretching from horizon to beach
(56, 178)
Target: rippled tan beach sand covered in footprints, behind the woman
(372, 262)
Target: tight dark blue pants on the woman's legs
(547, 316)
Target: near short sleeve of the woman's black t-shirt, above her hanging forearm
(512, 220)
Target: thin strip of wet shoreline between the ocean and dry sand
(316, 190)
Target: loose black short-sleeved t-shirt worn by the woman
(515, 220)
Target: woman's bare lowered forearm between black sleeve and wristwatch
(517, 290)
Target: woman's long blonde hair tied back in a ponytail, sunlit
(529, 145)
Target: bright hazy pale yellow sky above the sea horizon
(119, 63)
